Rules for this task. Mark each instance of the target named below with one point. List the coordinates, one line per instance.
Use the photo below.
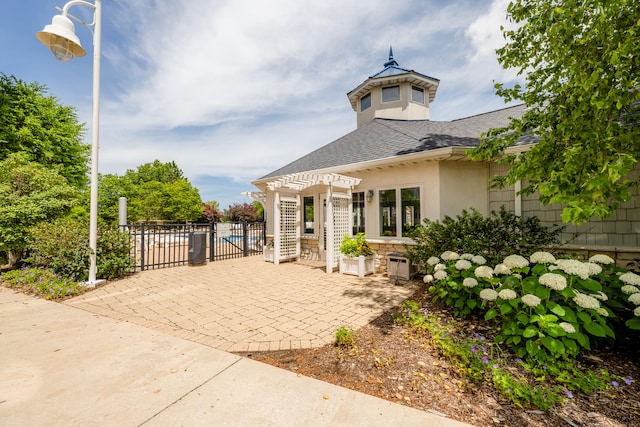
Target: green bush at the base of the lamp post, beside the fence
(63, 247)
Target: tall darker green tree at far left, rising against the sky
(36, 124)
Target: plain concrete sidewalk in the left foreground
(60, 365)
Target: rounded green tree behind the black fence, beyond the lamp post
(155, 191)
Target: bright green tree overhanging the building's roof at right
(581, 62)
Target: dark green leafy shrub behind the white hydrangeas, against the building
(501, 234)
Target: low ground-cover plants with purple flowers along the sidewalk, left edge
(41, 282)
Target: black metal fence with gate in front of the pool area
(157, 246)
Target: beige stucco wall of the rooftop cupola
(404, 109)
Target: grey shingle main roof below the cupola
(386, 138)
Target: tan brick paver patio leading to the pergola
(246, 304)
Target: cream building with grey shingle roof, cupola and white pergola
(398, 168)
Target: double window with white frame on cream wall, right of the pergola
(409, 200)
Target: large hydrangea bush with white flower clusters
(547, 307)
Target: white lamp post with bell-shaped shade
(63, 43)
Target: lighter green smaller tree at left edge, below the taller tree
(30, 194)
